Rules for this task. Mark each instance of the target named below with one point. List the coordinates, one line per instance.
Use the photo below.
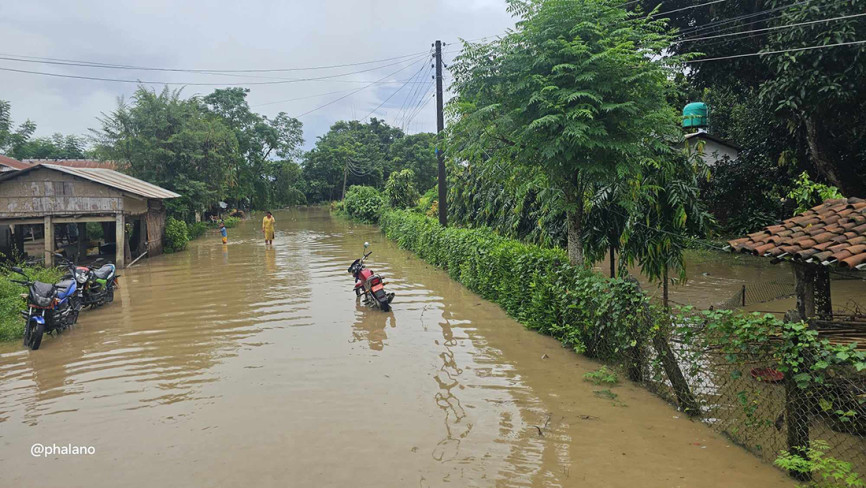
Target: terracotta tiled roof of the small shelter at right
(833, 233)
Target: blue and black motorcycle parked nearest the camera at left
(50, 307)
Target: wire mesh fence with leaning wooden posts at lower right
(745, 392)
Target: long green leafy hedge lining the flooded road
(592, 314)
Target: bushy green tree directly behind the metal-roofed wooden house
(174, 143)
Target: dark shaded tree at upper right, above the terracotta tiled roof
(821, 91)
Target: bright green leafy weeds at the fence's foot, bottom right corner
(826, 471)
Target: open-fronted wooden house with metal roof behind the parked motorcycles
(62, 200)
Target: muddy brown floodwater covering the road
(245, 365)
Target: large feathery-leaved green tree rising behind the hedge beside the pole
(578, 89)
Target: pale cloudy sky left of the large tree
(233, 35)
